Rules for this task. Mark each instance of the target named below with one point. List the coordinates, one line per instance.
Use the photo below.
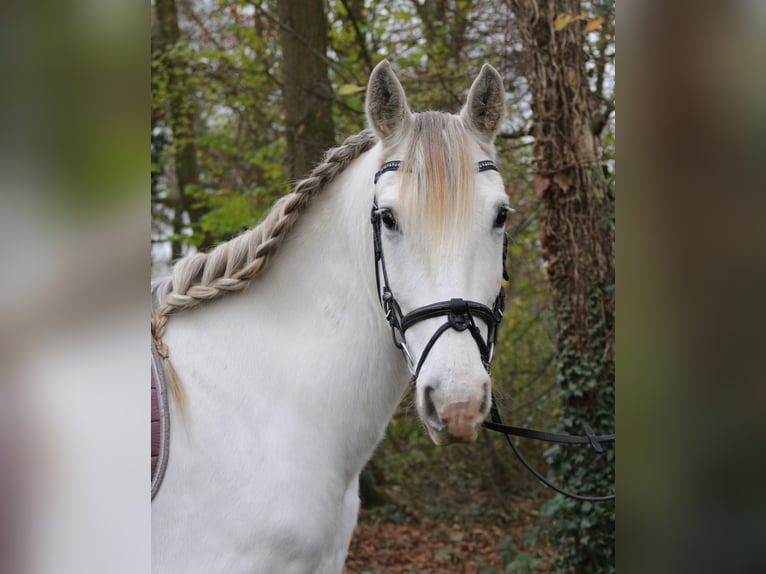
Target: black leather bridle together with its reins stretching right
(460, 316)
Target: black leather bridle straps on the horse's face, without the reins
(460, 313)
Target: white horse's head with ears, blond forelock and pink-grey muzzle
(439, 224)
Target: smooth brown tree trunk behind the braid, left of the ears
(306, 84)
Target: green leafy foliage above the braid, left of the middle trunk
(230, 59)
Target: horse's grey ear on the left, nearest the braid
(387, 109)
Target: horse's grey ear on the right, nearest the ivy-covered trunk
(485, 108)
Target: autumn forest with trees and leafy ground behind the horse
(247, 96)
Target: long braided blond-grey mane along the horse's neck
(231, 266)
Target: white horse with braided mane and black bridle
(282, 391)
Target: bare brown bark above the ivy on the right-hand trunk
(577, 244)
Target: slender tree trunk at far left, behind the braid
(182, 117)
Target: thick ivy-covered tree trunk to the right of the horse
(578, 245)
